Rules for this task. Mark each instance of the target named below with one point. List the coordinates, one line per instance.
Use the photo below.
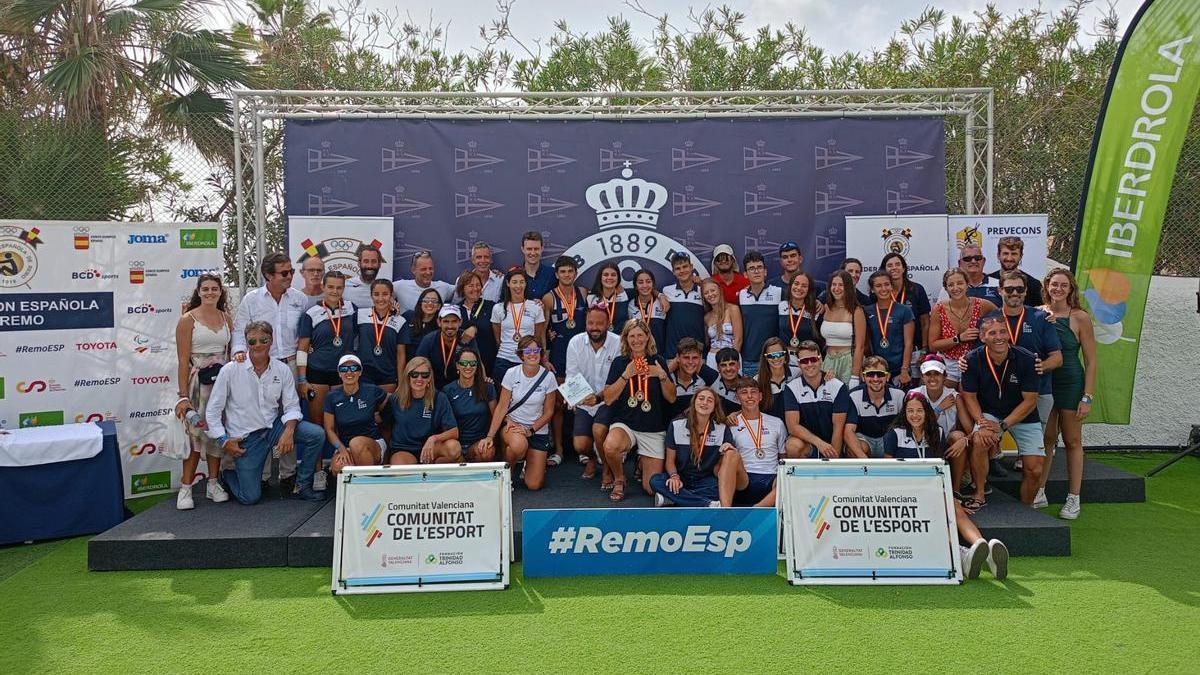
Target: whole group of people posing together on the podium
(710, 381)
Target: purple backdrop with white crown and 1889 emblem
(687, 186)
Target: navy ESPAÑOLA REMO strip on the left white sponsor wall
(56, 312)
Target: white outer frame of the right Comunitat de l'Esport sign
(789, 494)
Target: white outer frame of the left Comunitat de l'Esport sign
(497, 473)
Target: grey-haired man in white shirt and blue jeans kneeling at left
(253, 411)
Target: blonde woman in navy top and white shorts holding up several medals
(639, 392)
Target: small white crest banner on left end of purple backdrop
(337, 241)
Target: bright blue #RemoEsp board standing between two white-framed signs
(649, 541)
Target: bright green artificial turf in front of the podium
(1126, 601)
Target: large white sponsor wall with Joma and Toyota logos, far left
(89, 332)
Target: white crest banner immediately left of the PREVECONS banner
(919, 238)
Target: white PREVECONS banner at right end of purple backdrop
(987, 231)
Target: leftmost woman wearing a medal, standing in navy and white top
(326, 336)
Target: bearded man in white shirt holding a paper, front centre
(591, 355)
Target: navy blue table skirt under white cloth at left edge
(68, 499)
